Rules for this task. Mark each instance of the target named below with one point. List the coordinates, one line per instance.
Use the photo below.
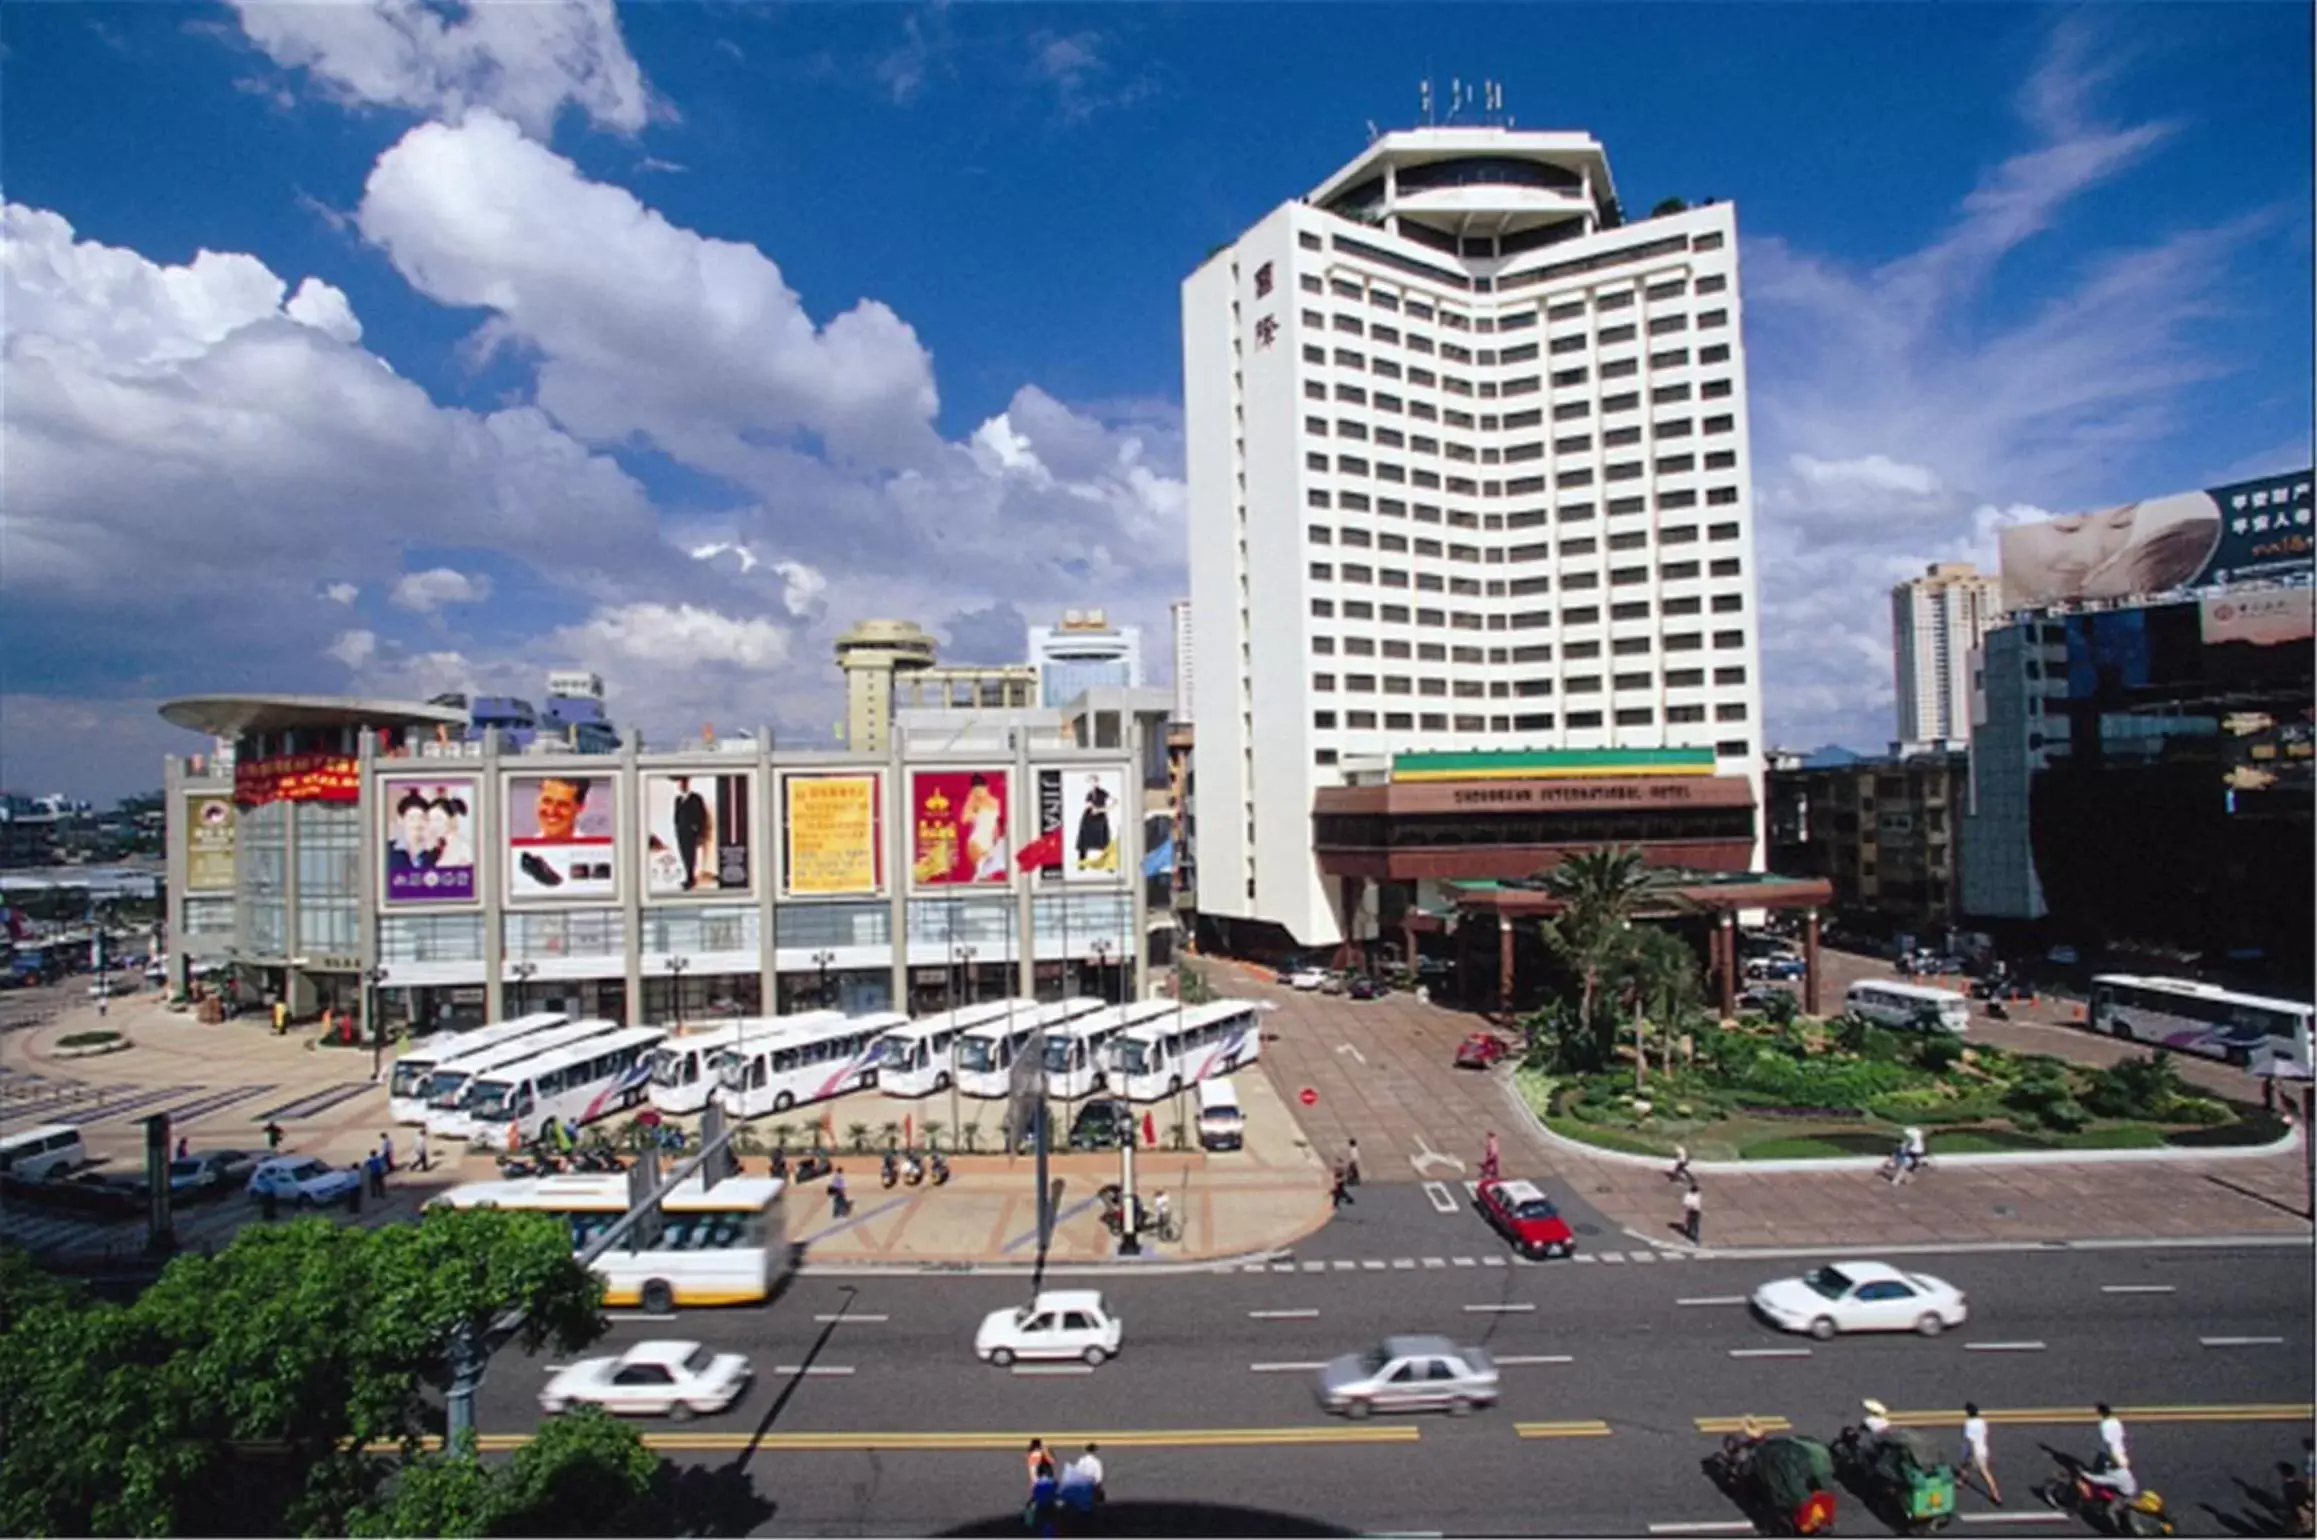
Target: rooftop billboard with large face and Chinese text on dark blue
(2237, 534)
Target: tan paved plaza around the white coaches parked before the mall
(231, 1078)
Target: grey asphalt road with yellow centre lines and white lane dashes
(1614, 1386)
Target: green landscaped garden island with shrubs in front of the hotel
(1843, 1090)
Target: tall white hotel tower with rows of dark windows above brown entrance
(1470, 471)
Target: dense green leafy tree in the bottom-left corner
(240, 1391)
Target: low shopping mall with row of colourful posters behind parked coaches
(344, 842)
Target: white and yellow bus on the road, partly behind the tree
(724, 1245)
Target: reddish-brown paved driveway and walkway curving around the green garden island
(1384, 1073)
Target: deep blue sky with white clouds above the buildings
(516, 314)
